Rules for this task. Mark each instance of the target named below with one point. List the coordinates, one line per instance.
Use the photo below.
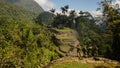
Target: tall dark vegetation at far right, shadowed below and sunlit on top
(111, 36)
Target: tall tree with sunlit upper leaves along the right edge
(112, 16)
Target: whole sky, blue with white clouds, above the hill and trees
(85, 5)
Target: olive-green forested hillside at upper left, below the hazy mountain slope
(15, 12)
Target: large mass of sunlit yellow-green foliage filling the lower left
(25, 45)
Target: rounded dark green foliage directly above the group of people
(88, 31)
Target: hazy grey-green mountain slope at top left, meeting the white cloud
(29, 5)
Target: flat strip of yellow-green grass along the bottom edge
(83, 65)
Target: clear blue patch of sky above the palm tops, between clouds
(77, 4)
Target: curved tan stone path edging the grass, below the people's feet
(84, 60)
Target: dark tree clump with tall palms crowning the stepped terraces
(64, 19)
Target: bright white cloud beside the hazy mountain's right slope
(46, 4)
